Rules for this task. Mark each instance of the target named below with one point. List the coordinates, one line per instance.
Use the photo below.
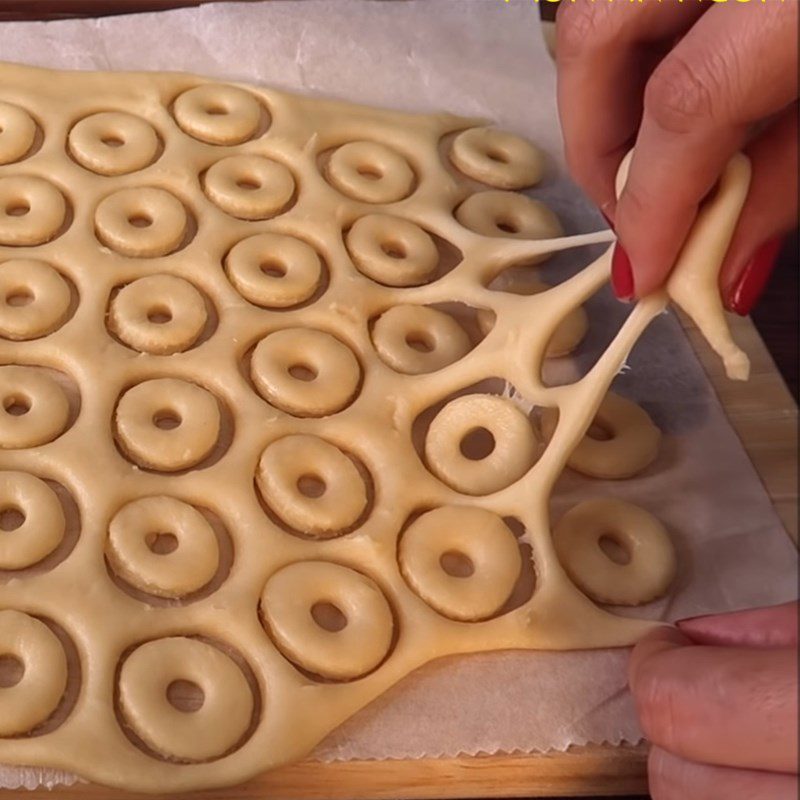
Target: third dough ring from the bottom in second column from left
(144, 416)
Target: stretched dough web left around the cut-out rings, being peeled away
(297, 710)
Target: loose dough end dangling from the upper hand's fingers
(693, 283)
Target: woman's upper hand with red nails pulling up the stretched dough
(689, 83)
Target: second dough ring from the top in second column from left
(141, 223)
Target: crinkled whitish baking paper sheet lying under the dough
(481, 58)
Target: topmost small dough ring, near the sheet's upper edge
(218, 114)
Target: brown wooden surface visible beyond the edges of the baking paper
(764, 414)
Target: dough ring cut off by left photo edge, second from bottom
(43, 523)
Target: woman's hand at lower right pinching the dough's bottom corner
(718, 700)
